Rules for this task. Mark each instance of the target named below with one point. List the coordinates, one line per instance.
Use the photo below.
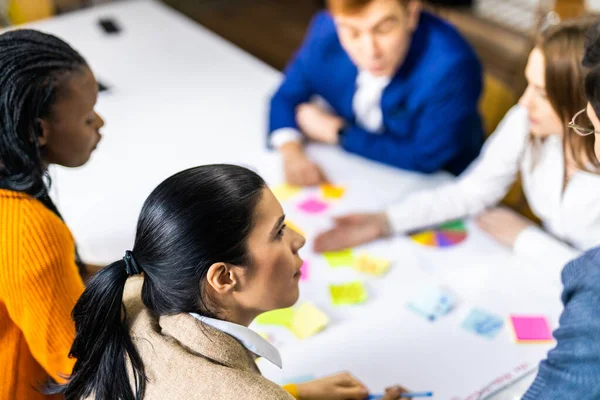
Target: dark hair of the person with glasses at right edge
(591, 60)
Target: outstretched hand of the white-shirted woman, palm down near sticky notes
(352, 230)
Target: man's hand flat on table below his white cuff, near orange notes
(299, 169)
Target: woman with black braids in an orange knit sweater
(47, 98)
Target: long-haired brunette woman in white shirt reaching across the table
(559, 171)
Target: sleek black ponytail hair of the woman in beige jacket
(190, 221)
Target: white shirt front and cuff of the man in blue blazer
(366, 105)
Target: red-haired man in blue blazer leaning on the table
(400, 85)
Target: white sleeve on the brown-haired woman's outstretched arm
(482, 185)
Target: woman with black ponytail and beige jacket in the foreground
(214, 252)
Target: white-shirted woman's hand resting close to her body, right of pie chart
(503, 224)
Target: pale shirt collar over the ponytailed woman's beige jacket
(246, 336)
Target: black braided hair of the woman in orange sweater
(33, 67)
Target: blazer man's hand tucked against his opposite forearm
(317, 124)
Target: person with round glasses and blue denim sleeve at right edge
(572, 369)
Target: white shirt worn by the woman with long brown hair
(571, 218)
